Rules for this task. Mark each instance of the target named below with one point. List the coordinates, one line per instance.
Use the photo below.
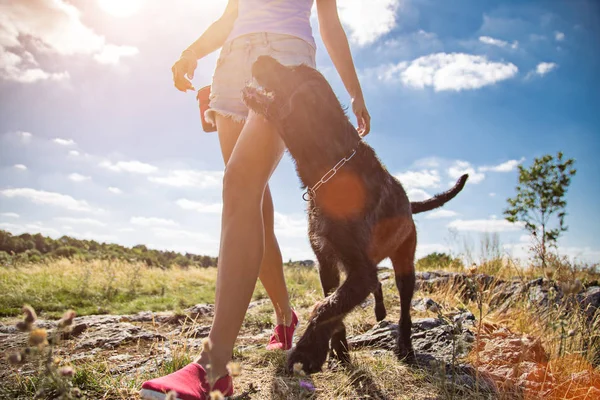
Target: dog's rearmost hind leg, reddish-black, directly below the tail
(404, 270)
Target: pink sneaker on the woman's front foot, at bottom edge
(190, 383)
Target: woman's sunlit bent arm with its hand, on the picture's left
(213, 38)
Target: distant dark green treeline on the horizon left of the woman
(35, 248)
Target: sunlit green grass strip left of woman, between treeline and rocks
(103, 288)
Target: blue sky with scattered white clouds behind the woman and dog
(96, 143)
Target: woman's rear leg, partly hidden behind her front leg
(271, 271)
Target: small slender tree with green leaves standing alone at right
(540, 198)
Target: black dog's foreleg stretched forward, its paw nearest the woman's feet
(327, 316)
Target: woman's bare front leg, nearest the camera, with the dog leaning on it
(253, 160)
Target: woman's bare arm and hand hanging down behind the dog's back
(336, 43)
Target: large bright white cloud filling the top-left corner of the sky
(55, 27)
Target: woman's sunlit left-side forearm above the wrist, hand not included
(214, 37)
